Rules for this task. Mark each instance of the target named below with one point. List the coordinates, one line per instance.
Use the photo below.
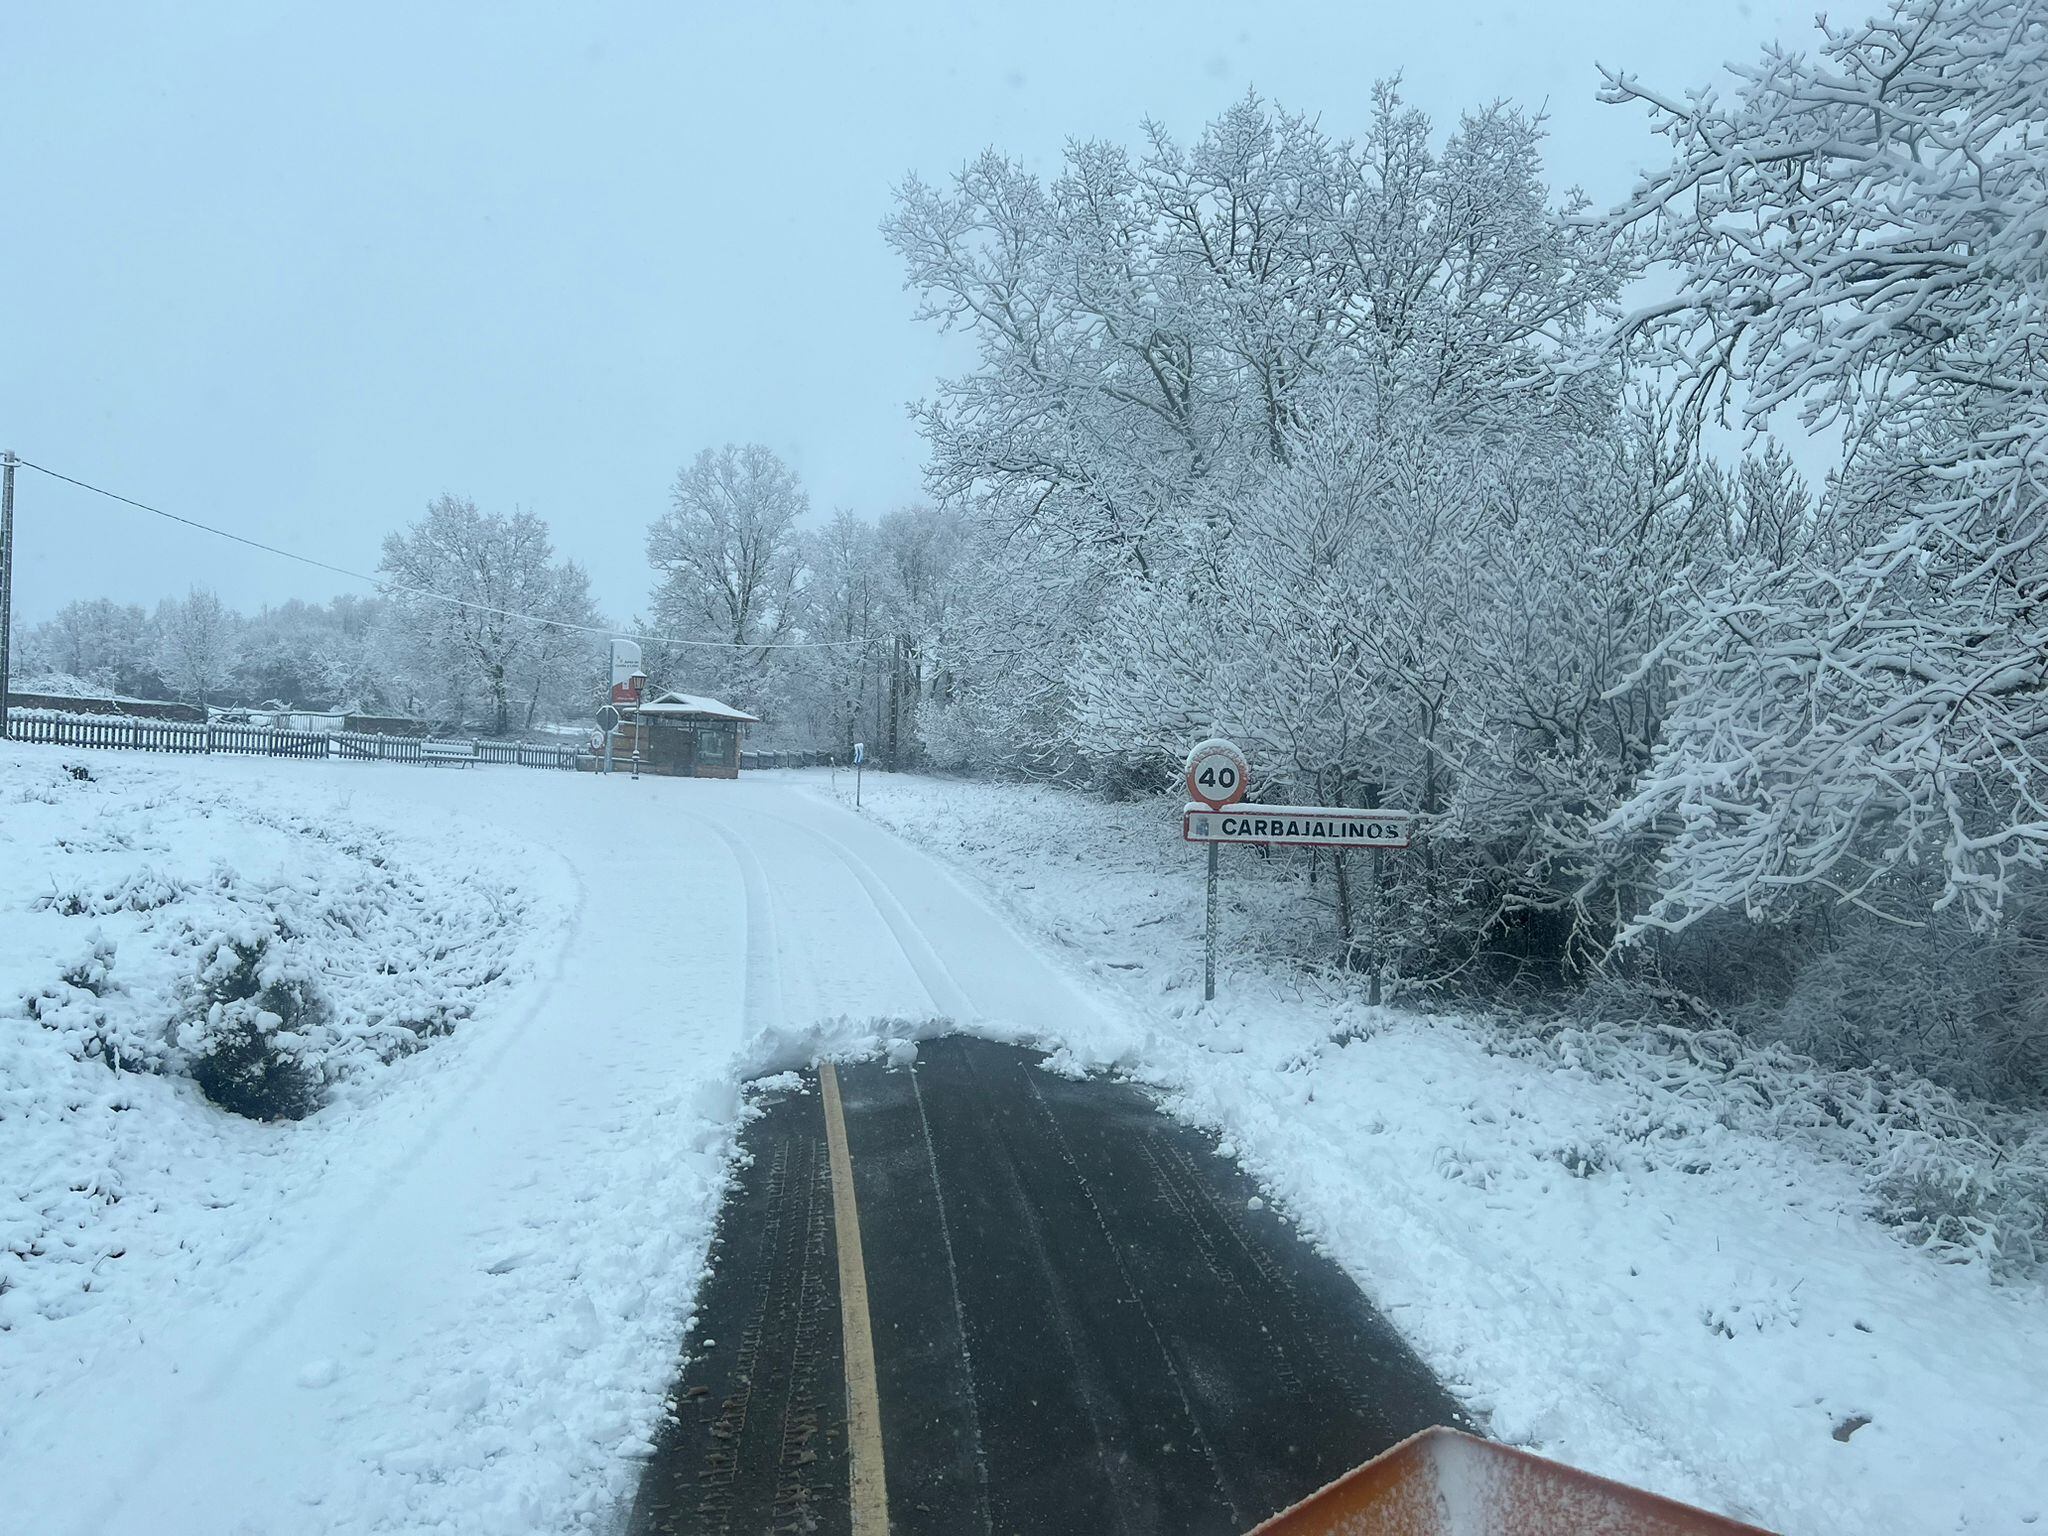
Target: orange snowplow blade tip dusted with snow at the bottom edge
(1447, 1484)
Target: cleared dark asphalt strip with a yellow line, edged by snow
(1072, 1318)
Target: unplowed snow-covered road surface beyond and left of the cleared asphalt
(462, 1312)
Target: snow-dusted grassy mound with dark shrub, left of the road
(302, 947)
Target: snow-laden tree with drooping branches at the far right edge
(1857, 234)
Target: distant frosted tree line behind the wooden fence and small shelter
(833, 634)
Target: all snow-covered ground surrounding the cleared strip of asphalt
(450, 1299)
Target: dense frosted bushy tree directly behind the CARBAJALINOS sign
(1428, 617)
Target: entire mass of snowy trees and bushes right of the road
(1684, 581)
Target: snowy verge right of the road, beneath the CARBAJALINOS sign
(1601, 1254)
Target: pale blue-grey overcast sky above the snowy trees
(296, 271)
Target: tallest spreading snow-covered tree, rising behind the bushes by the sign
(1158, 329)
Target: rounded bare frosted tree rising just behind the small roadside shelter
(730, 568)
